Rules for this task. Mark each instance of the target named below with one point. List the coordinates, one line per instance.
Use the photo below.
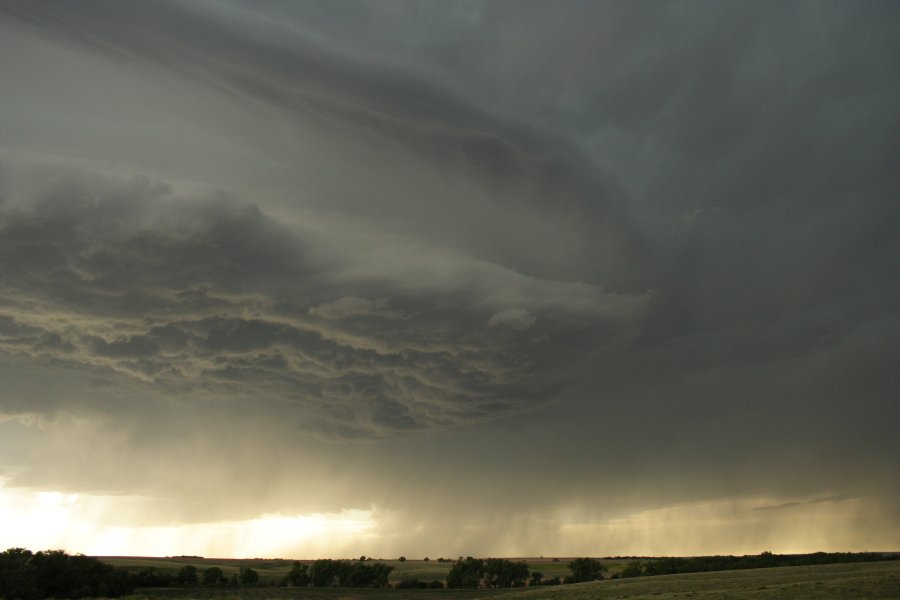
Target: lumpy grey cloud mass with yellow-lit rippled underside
(210, 297)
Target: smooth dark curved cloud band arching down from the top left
(379, 104)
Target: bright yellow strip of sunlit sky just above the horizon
(79, 523)
